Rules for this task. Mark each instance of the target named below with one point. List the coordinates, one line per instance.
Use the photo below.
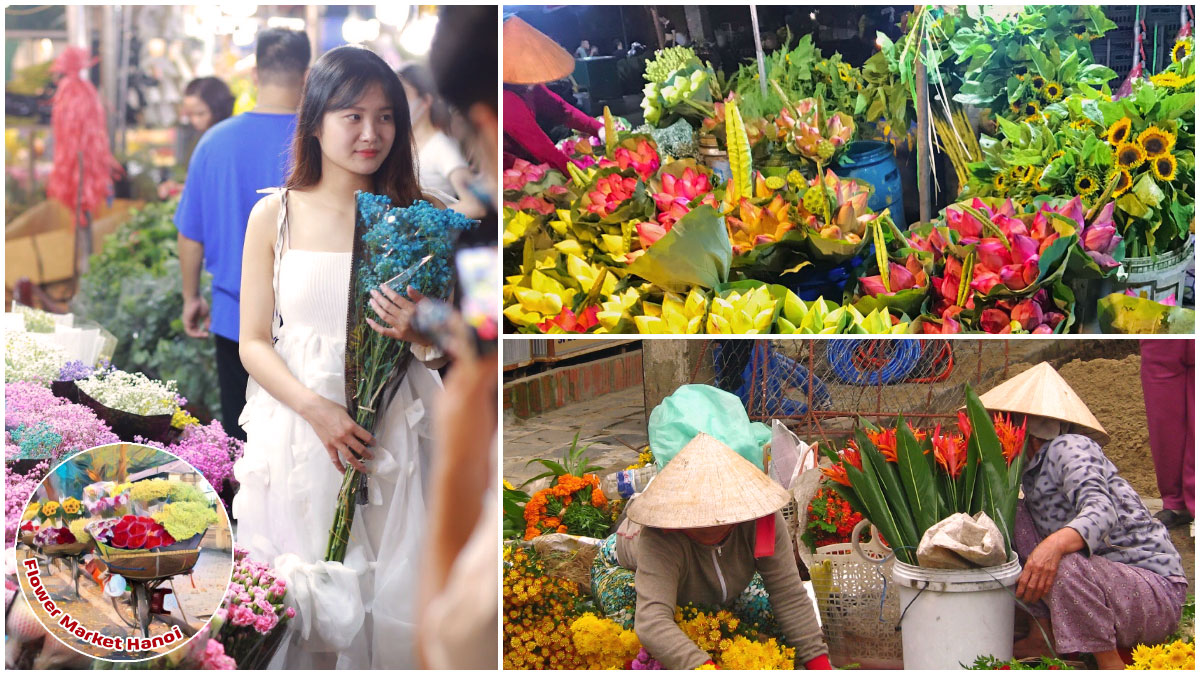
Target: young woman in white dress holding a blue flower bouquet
(352, 134)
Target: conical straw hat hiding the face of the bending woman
(705, 486)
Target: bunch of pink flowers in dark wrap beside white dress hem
(253, 618)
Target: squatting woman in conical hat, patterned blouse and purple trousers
(1101, 572)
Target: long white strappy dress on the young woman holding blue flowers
(361, 614)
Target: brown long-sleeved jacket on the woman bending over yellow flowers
(673, 570)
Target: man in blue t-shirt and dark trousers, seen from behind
(230, 165)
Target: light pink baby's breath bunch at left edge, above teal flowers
(29, 404)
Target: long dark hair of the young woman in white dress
(337, 82)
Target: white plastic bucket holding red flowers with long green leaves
(949, 618)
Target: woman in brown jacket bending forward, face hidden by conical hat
(707, 533)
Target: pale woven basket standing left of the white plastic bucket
(859, 612)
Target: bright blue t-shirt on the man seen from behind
(231, 164)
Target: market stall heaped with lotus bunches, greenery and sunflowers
(769, 199)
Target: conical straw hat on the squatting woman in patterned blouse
(1041, 391)
